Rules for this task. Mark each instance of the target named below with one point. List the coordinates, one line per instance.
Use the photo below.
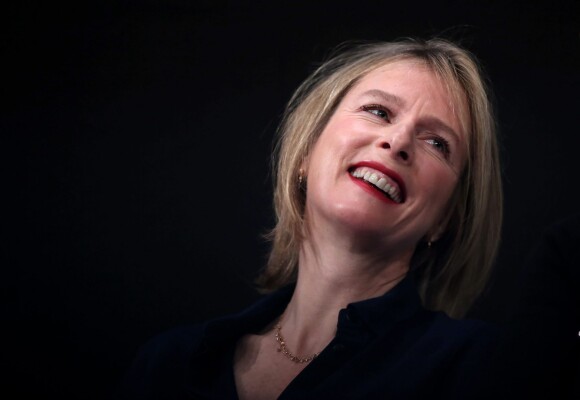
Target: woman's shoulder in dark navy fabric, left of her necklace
(172, 362)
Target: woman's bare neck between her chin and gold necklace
(330, 277)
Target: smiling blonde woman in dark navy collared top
(388, 201)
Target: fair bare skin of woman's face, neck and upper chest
(397, 123)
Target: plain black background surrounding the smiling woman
(137, 140)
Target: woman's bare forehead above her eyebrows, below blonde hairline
(411, 81)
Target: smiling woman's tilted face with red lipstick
(389, 159)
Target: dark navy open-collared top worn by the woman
(387, 347)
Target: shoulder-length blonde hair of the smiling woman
(452, 273)
